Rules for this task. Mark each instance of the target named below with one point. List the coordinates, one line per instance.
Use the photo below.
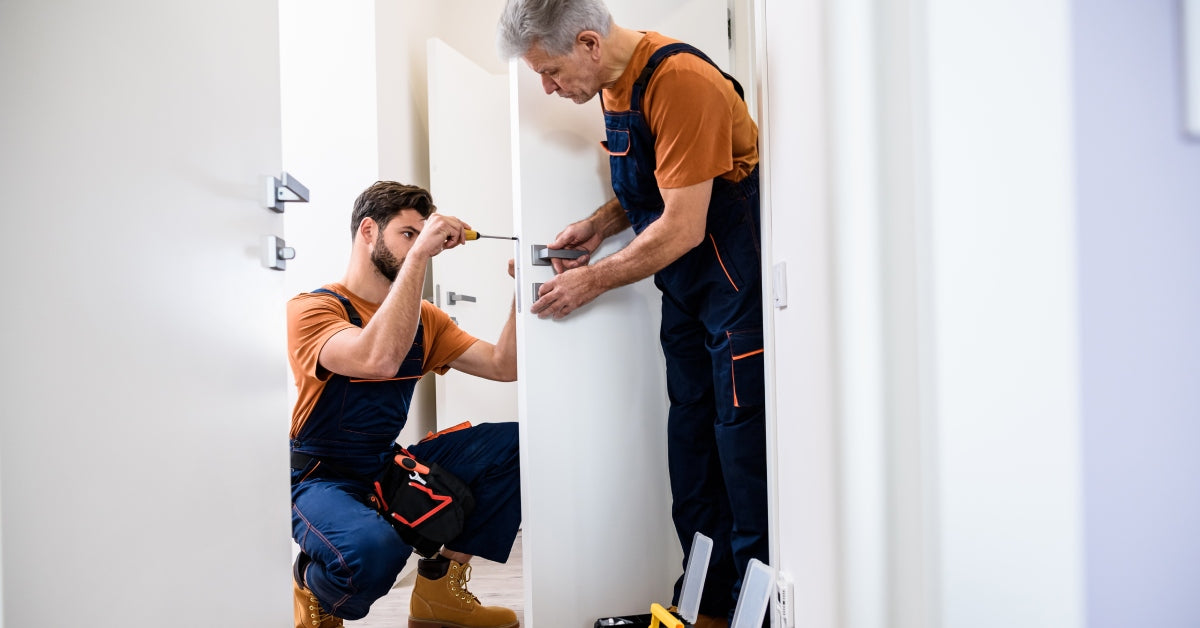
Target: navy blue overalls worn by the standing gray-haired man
(712, 338)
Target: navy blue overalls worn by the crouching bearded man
(356, 554)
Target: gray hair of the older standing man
(553, 25)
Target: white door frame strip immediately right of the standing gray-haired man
(802, 432)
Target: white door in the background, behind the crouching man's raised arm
(471, 177)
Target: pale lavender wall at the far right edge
(1139, 277)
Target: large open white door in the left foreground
(145, 411)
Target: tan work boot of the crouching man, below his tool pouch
(441, 600)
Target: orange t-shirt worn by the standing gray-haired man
(703, 129)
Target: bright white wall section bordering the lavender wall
(1005, 303)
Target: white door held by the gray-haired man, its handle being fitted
(592, 392)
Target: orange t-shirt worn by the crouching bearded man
(315, 319)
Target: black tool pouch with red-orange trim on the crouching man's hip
(424, 503)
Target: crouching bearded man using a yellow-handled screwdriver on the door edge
(357, 350)
